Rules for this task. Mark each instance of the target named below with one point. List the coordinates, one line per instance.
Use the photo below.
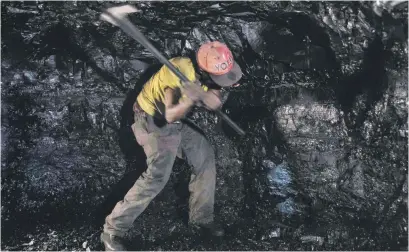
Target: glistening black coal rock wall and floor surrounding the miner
(323, 101)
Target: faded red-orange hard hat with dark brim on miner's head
(217, 59)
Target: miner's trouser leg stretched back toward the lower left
(160, 148)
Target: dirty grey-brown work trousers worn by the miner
(161, 146)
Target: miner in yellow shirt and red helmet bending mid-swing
(163, 101)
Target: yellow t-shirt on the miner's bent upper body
(151, 98)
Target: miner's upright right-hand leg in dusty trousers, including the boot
(200, 155)
